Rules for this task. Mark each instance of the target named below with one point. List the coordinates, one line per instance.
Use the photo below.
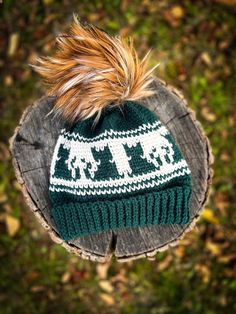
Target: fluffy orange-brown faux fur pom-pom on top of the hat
(91, 70)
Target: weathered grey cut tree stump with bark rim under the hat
(32, 147)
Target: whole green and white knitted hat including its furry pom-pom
(117, 165)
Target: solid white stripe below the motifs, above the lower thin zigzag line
(91, 184)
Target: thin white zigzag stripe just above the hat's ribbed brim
(124, 189)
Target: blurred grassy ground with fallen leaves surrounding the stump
(194, 43)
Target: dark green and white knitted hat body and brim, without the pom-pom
(127, 172)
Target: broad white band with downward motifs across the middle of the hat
(79, 151)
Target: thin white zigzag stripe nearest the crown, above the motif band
(111, 132)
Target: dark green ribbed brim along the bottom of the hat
(169, 206)
